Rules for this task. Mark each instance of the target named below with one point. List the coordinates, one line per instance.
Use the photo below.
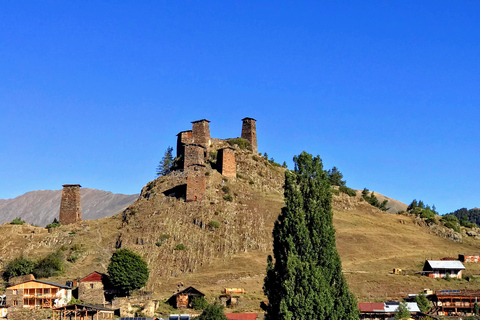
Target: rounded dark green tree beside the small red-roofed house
(127, 270)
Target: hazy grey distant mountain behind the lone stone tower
(42, 206)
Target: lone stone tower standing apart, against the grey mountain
(70, 205)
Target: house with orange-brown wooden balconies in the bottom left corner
(36, 294)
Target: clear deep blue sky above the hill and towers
(93, 92)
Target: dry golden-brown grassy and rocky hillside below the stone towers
(370, 242)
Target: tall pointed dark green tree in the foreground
(305, 281)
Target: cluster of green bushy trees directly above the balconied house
(49, 266)
